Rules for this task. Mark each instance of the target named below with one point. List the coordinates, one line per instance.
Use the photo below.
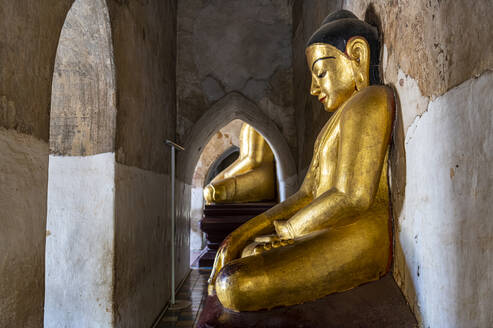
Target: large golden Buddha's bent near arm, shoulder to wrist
(364, 138)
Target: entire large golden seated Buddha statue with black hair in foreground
(334, 233)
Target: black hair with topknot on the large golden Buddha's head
(339, 27)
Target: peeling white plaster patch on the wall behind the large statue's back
(445, 231)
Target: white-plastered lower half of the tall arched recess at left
(80, 241)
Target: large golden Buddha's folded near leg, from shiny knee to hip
(325, 262)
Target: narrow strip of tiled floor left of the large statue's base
(194, 290)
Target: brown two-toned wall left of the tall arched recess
(29, 33)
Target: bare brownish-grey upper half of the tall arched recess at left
(83, 109)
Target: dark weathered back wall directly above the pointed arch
(240, 46)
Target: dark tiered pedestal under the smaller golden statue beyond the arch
(220, 220)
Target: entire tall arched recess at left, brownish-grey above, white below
(80, 218)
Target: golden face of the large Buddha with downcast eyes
(335, 75)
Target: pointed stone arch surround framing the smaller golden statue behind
(233, 109)
